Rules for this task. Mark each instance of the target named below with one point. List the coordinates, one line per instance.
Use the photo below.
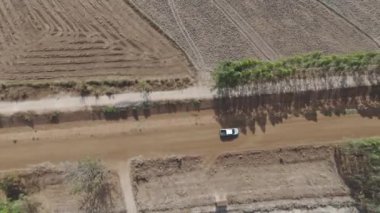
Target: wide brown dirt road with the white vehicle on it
(181, 133)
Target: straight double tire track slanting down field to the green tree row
(257, 42)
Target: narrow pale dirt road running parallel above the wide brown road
(71, 103)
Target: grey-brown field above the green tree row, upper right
(214, 30)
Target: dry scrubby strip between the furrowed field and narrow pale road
(30, 90)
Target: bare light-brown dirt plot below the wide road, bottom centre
(249, 181)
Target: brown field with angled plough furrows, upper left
(82, 40)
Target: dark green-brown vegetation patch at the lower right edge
(360, 167)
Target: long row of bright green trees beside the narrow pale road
(230, 74)
